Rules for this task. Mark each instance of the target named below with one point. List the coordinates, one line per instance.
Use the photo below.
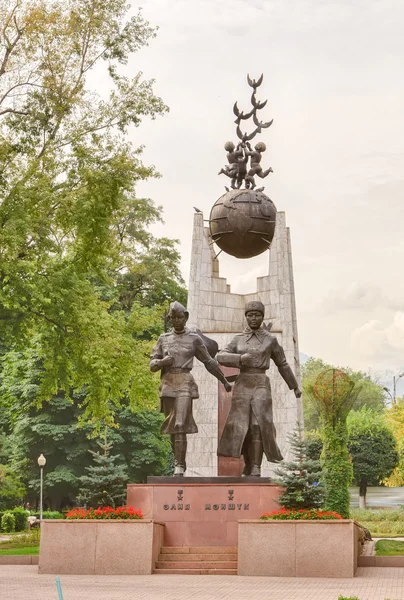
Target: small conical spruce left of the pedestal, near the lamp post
(105, 482)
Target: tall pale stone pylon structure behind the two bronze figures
(220, 314)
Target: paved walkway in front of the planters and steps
(24, 583)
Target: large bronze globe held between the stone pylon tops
(242, 223)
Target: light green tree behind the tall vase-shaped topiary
(371, 393)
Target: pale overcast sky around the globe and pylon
(333, 74)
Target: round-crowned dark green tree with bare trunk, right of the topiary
(373, 449)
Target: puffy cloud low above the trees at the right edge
(378, 342)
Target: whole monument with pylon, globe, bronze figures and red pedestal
(202, 503)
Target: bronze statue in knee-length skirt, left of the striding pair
(173, 355)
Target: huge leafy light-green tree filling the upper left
(70, 222)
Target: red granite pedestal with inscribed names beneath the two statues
(203, 511)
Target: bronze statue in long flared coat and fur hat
(249, 429)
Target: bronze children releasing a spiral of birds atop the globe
(238, 156)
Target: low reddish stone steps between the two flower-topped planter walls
(213, 560)
